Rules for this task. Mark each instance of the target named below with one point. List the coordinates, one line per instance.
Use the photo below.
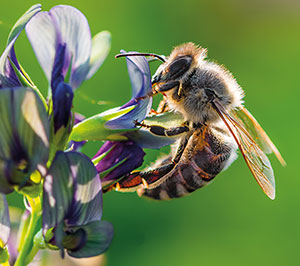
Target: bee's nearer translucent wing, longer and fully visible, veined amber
(255, 158)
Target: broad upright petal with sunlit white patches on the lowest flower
(72, 191)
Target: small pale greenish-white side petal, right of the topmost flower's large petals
(101, 43)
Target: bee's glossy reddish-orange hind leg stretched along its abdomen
(150, 178)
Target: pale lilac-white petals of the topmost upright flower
(67, 26)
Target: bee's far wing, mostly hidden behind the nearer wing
(245, 118)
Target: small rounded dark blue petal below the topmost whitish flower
(62, 104)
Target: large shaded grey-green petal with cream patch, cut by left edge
(24, 133)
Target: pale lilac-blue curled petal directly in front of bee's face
(140, 76)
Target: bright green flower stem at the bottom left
(31, 229)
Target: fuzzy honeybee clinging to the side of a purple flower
(216, 125)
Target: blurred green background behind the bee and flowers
(230, 222)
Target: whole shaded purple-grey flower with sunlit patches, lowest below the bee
(72, 207)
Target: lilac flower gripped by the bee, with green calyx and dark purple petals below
(124, 150)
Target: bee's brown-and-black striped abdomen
(204, 157)
